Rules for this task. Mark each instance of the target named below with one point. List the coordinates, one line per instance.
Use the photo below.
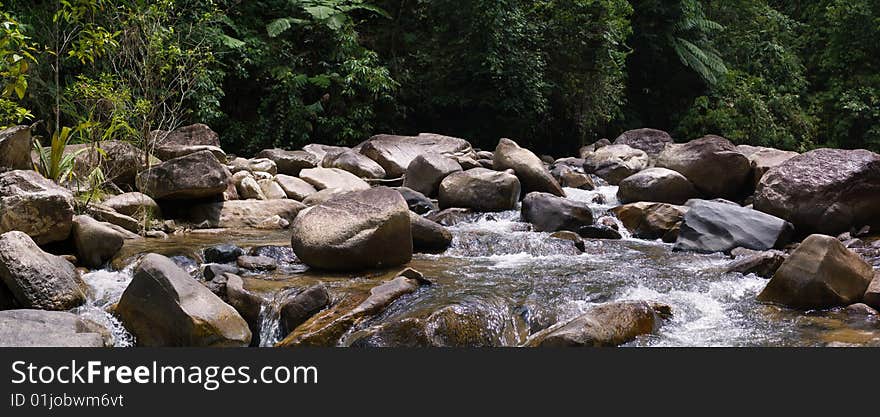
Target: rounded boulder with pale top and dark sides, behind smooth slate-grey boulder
(659, 185)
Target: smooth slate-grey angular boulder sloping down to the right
(719, 227)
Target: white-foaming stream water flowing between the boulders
(512, 282)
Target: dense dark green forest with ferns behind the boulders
(554, 75)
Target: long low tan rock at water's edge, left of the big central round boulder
(243, 213)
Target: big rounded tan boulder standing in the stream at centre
(354, 231)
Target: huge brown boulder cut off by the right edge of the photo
(824, 191)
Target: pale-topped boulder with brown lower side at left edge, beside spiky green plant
(35, 205)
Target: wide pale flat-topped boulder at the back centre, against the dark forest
(395, 153)
